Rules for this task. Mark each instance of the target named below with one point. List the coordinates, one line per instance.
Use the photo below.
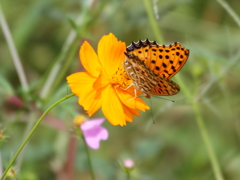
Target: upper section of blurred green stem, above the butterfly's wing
(153, 23)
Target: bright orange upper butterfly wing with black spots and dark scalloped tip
(164, 60)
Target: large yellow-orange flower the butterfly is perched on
(104, 83)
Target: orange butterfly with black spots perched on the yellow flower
(150, 66)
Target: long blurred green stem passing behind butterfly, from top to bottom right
(186, 91)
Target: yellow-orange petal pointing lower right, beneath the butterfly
(130, 101)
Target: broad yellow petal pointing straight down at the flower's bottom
(112, 107)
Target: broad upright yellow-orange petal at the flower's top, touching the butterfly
(111, 53)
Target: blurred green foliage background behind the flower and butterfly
(48, 34)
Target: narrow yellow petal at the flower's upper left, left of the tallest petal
(89, 59)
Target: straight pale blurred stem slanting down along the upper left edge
(13, 51)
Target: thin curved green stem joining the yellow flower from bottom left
(31, 132)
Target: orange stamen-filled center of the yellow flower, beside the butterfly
(120, 79)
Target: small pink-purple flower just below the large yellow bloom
(93, 132)
